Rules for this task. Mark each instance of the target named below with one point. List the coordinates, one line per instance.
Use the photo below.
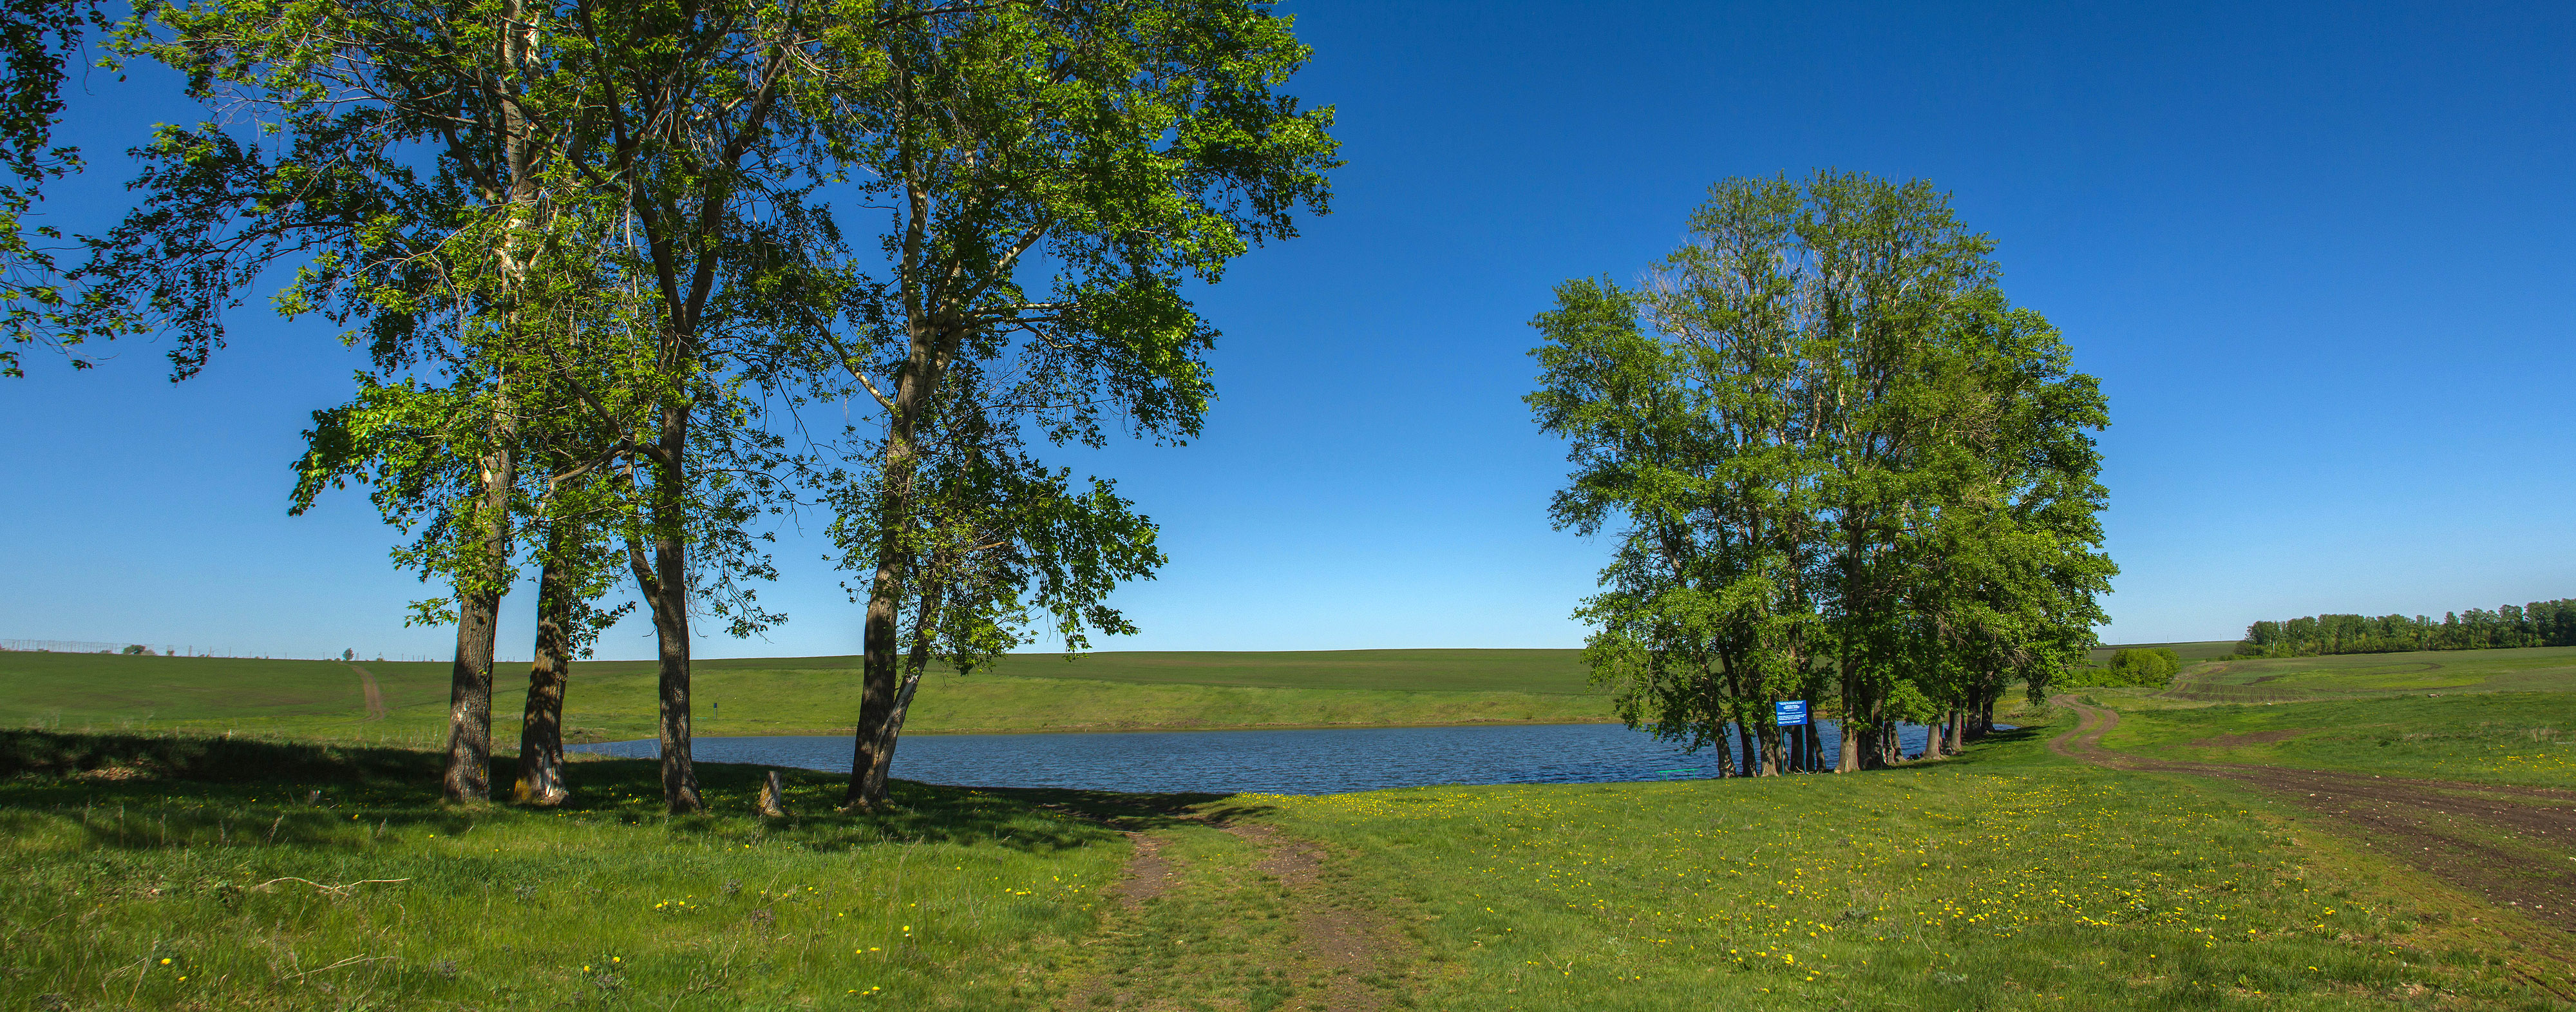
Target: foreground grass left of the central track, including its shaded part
(228, 882)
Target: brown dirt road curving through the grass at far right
(2513, 846)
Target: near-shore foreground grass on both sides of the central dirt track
(2008, 879)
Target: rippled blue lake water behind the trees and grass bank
(1323, 761)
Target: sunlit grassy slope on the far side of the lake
(818, 694)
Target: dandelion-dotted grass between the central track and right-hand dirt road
(2003, 882)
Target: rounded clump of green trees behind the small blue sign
(1838, 467)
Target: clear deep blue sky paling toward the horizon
(2322, 259)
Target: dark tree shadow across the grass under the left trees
(179, 792)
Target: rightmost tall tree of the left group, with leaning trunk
(1052, 179)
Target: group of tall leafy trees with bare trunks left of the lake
(612, 261)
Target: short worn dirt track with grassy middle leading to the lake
(1225, 913)
